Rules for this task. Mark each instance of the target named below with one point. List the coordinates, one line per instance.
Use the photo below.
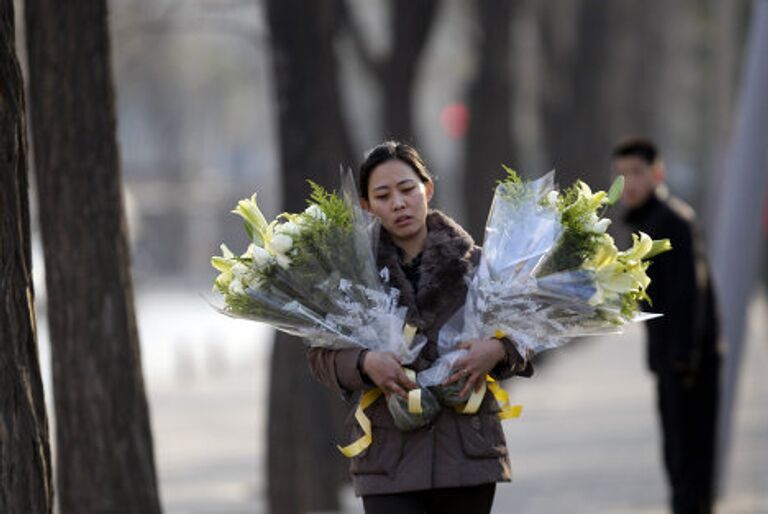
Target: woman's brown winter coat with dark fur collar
(454, 449)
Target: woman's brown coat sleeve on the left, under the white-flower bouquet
(337, 369)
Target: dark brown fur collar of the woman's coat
(447, 257)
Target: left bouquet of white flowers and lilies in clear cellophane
(313, 274)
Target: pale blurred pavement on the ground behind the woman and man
(587, 441)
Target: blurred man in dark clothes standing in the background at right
(682, 344)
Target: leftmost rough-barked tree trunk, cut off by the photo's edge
(25, 461)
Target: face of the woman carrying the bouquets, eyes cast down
(398, 197)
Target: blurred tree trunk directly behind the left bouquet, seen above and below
(304, 467)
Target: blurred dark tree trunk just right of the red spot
(489, 138)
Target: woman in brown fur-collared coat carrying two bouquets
(452, 464)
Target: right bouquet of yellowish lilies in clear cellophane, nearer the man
(549, 272)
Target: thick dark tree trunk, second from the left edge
(104, 451)
